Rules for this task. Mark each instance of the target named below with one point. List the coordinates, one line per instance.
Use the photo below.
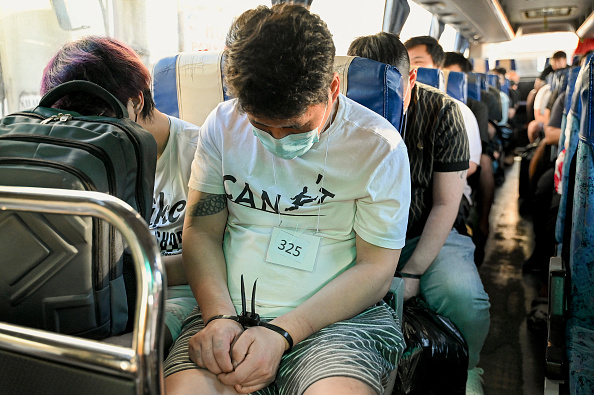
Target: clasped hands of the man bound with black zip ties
(244, 359)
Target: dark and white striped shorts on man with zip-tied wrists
(366, 347)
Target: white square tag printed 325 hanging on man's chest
(298, 251)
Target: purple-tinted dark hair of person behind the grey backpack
(105, 61)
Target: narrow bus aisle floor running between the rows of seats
(513, 355)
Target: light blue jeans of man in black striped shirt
(452, 288)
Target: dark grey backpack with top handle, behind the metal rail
(59, 272)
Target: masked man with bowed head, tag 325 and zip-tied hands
(308, 192)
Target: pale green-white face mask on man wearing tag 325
(290, 146)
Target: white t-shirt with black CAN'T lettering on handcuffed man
(358, 170)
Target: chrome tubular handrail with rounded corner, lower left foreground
(143, 362)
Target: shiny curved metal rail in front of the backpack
(35, 361)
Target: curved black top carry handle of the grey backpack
(55, 94)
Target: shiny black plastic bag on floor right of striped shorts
(435, 360)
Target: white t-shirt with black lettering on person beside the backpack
(171, 185)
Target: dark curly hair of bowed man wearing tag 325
(281, 64)
